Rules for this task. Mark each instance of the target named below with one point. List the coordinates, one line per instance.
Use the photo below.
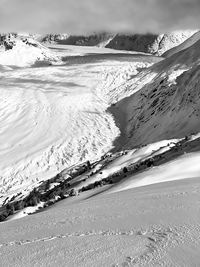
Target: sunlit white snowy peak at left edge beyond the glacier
(25, 52)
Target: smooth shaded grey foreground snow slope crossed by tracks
(156, 225)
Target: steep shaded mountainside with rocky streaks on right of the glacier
(168, 106)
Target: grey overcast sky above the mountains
(85, 16)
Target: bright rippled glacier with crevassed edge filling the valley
(54, 117)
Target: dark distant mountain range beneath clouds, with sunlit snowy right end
(147, 43)
